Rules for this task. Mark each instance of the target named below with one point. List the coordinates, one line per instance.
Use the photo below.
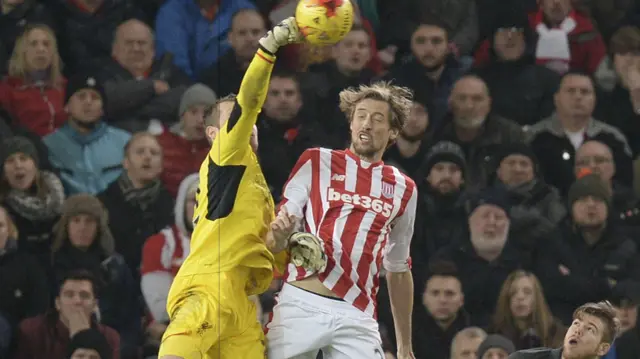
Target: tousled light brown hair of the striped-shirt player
(399, 99)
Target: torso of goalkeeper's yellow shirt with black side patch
(233, 212)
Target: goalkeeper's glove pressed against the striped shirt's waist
(306, 251)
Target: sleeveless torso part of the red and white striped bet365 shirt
(352, 208)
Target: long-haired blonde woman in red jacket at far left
(33, 92)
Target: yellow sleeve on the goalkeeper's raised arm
(232, 142)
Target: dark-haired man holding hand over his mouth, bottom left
(48, 336)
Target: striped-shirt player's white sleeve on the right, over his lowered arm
(396, 256)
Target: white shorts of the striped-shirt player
(304, 324)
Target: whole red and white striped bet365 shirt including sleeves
(364, 214)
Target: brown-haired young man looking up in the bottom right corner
(593, 330)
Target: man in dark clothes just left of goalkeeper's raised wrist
(225, 75)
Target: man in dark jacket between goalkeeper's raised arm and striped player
(284, 134)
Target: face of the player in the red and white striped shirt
(371, 129)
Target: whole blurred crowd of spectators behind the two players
(523, 141)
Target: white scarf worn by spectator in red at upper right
(553, 48)
